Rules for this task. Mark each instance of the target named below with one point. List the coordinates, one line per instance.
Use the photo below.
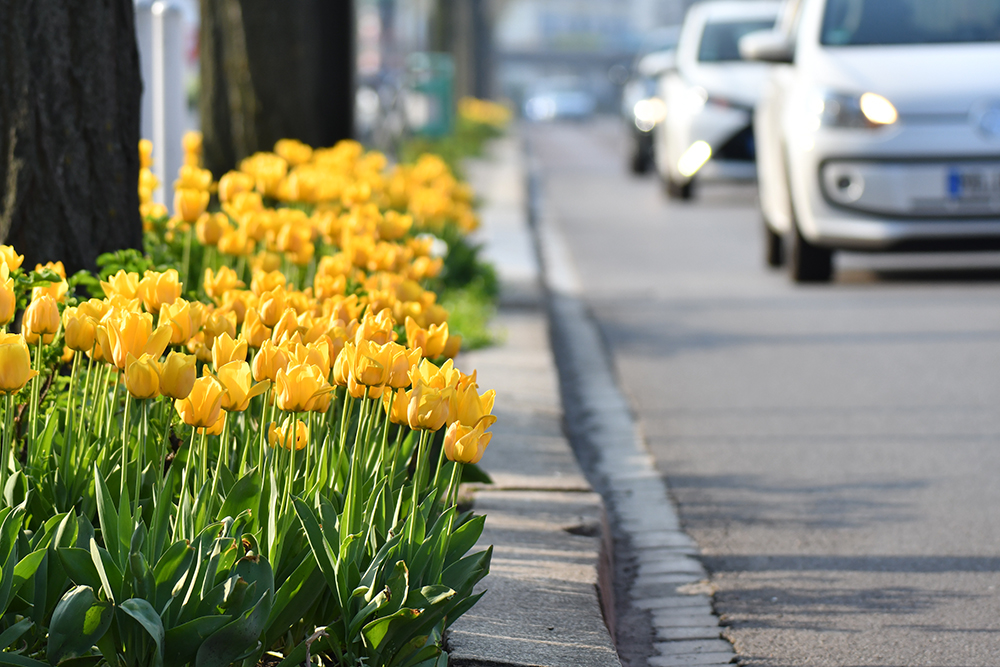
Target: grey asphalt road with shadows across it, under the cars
(834, 449)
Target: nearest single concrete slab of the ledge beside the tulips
(541, 607)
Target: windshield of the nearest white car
(865, 22)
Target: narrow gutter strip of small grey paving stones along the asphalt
(662, 588)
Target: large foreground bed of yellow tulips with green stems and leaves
(244, 446)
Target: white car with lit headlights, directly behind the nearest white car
(710, 95)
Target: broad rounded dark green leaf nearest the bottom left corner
(78, 622)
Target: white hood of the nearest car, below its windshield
(920, 79)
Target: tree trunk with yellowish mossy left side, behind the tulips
(271, 70)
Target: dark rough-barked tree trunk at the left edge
(70, 89)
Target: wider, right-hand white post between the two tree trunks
(168, 95)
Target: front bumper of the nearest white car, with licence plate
(919, 185)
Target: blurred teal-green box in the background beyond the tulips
(430, 99)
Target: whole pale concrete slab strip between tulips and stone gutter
(543, 607)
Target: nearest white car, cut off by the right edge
(879, 129)
